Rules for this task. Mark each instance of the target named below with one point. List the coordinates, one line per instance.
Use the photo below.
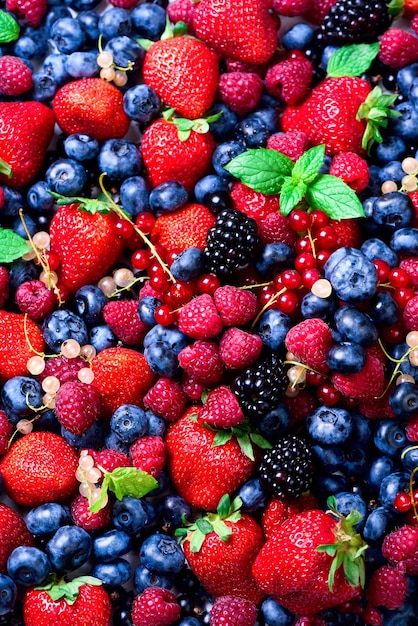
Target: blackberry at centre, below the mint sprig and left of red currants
(231, 243)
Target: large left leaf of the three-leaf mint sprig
(261, 169)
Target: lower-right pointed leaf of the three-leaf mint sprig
(332, 195)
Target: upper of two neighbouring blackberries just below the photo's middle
(260, 388)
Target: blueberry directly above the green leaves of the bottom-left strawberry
(69, 548)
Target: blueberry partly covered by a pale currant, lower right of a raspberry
(61, 325)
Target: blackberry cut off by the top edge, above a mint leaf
(356, 21)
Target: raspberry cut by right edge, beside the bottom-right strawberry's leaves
(400, 547)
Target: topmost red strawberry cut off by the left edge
(30, 126)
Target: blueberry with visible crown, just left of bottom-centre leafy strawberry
(161, 554)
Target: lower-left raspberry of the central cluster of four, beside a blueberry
(201, 362)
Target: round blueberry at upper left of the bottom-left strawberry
(28, 566)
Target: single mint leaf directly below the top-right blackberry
(352, 60)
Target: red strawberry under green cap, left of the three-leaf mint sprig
(167, 157)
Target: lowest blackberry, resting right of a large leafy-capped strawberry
(285, 470)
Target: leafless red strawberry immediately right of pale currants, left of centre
(122, 376)
